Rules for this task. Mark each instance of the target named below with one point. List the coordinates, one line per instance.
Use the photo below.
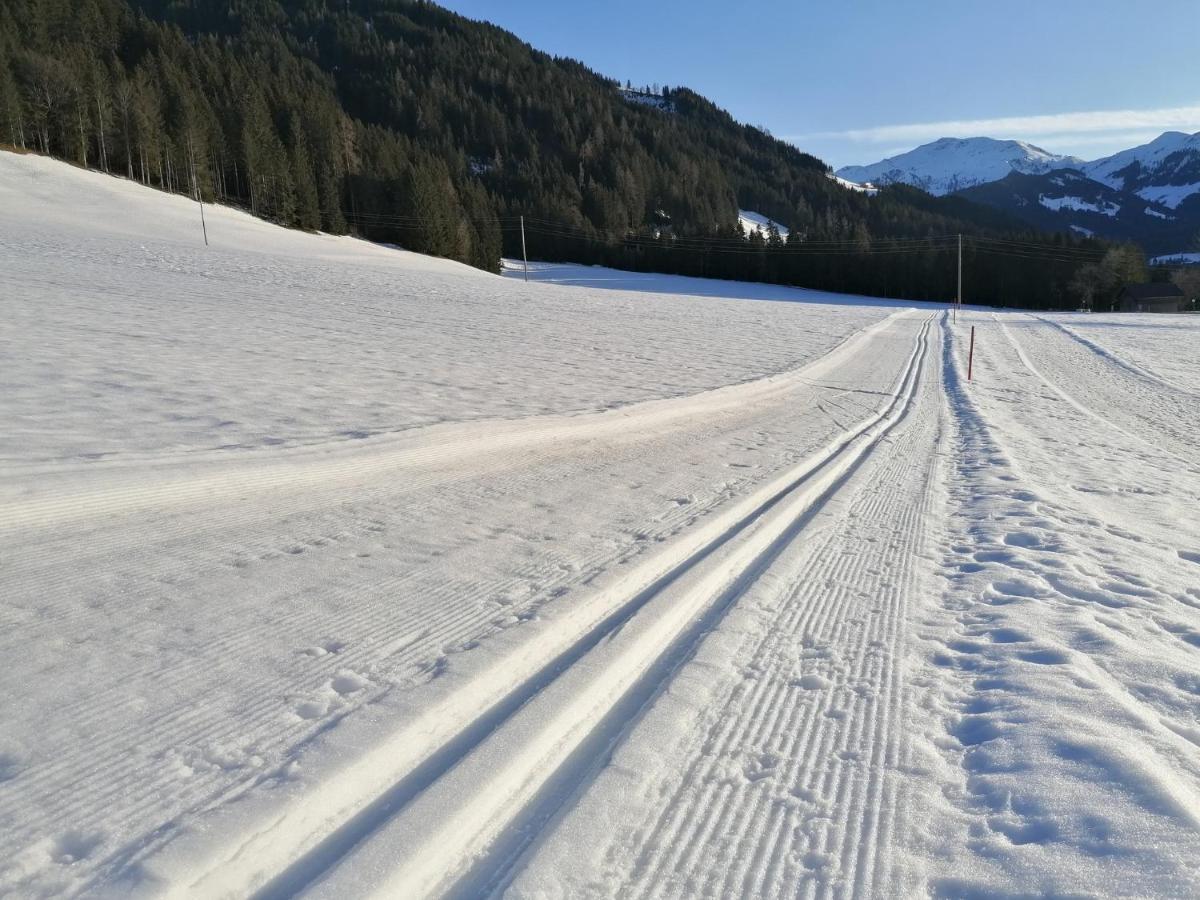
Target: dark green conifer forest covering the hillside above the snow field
(405, 123)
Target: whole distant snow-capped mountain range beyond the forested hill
(1149, 194)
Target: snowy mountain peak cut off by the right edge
(1166, 171)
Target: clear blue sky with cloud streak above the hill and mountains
(857, 81)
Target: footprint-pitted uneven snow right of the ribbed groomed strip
(1059, 691)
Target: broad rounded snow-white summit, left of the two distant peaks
(951, 165)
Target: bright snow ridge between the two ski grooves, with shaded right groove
(509, 784)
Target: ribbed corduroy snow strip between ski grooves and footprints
(771, 767)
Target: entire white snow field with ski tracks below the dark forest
(332, 571)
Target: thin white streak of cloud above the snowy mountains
(1031, 128)
